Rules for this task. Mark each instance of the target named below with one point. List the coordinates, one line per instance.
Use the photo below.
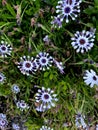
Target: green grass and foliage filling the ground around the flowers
(23, 25)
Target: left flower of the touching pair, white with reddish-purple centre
(27, 65)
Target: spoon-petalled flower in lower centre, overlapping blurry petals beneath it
(46, 98)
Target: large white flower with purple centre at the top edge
(68, 8)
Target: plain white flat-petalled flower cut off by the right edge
(90, 78)
